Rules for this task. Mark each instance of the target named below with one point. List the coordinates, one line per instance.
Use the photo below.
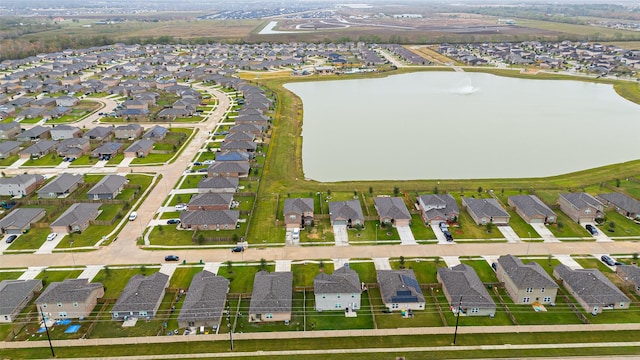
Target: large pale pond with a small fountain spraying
(452, 125)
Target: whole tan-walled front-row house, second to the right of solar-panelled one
(526, 284)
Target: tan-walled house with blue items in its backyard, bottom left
(72, 298)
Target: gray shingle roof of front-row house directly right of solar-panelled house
(461, 281)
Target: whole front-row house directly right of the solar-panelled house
(465, 292)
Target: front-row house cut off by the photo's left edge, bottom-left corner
(15, 295)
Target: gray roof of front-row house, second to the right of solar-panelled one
(524, 276)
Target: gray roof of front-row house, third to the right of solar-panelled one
(591, 285)
